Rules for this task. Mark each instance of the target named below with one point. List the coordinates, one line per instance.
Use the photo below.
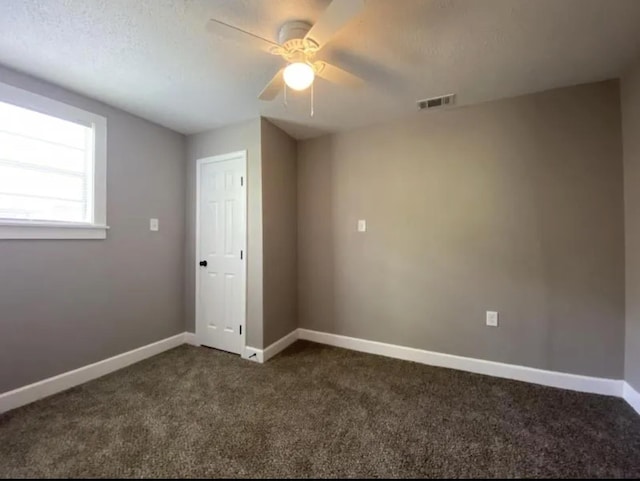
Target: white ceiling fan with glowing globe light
(298, 43)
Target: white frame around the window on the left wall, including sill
(26, 229)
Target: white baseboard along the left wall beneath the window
(47, 387)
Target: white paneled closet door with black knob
(221, 251)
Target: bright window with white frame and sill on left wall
(52, 169)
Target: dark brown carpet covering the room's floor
(315, 411)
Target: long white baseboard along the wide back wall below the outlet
(574, 382)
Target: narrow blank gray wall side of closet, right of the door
(279, 217)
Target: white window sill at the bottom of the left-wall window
(51, 230)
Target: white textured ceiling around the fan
(154, 58)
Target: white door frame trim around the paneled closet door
(241, 154)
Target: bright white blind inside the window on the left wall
(45, 167)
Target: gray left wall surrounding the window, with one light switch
(68, 303)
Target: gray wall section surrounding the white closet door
(243, 136)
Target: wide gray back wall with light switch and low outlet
(514, 206)
